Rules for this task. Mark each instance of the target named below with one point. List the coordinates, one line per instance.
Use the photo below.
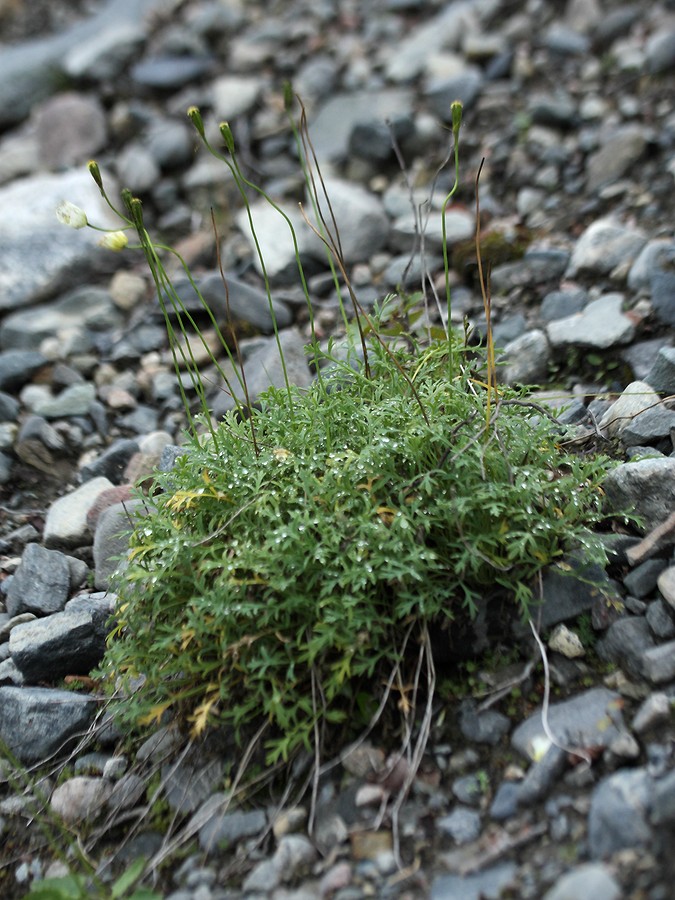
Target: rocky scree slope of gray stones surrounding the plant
(571, 106)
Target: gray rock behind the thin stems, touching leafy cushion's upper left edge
(264, 370)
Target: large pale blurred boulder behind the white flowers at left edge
(38, 255)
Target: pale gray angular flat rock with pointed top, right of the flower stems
(601, 324)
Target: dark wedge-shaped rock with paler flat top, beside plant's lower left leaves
(64, 643)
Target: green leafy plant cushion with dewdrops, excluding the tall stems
(290, 563)
